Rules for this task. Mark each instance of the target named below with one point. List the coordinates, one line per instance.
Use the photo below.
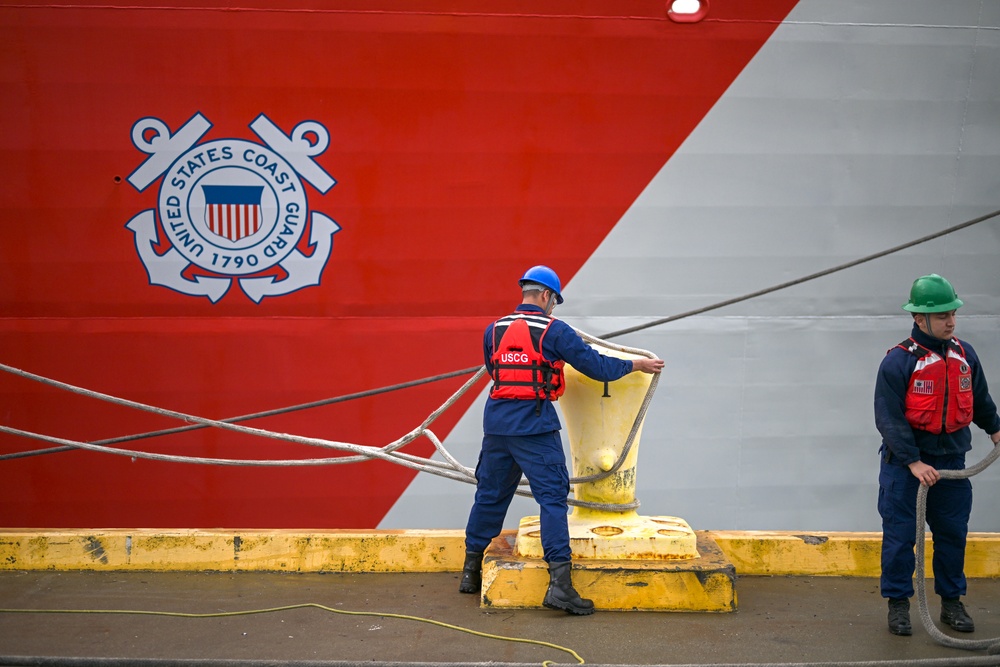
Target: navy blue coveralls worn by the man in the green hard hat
(949, 501)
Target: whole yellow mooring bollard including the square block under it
(621, 560)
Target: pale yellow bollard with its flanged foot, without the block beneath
(598, 419)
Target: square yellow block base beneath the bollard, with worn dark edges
(705, 583)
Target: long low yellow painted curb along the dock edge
(751, 552)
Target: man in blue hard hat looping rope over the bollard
(525, 353)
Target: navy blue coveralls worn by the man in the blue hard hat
(516, 439)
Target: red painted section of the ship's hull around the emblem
(465, 146)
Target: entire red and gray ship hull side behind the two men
(659, 167)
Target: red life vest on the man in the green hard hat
(939, 397)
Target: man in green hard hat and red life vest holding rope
(930, 389)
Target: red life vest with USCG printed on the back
(519, 369)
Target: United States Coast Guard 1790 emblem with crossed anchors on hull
(232, 210)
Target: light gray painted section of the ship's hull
(859, 126)
